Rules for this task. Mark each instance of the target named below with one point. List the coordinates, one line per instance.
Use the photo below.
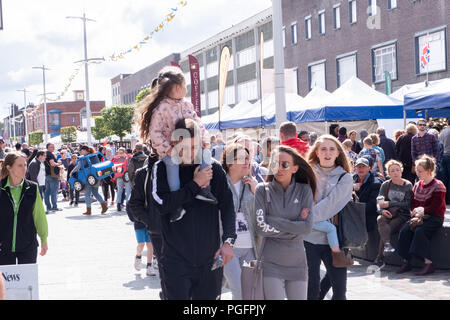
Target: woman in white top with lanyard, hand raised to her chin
(236, 163)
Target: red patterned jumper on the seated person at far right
(429, 196)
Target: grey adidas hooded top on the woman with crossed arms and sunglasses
(283, 228)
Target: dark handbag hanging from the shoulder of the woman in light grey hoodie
(351, 224)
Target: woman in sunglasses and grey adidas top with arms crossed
(282, 219)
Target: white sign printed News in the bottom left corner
(21, 281)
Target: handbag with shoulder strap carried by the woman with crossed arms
(252, 273)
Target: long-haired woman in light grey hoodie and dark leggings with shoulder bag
(335, 186)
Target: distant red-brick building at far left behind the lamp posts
(63, 114)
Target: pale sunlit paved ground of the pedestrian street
(92, 258)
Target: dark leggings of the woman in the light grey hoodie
(336, 277)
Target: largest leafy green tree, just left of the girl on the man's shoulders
(119, 119)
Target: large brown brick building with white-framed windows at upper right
(328, 41)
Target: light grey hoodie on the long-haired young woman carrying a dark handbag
(331, 198)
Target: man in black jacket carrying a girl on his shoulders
(192, 244)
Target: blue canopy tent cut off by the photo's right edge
(435, 99)
